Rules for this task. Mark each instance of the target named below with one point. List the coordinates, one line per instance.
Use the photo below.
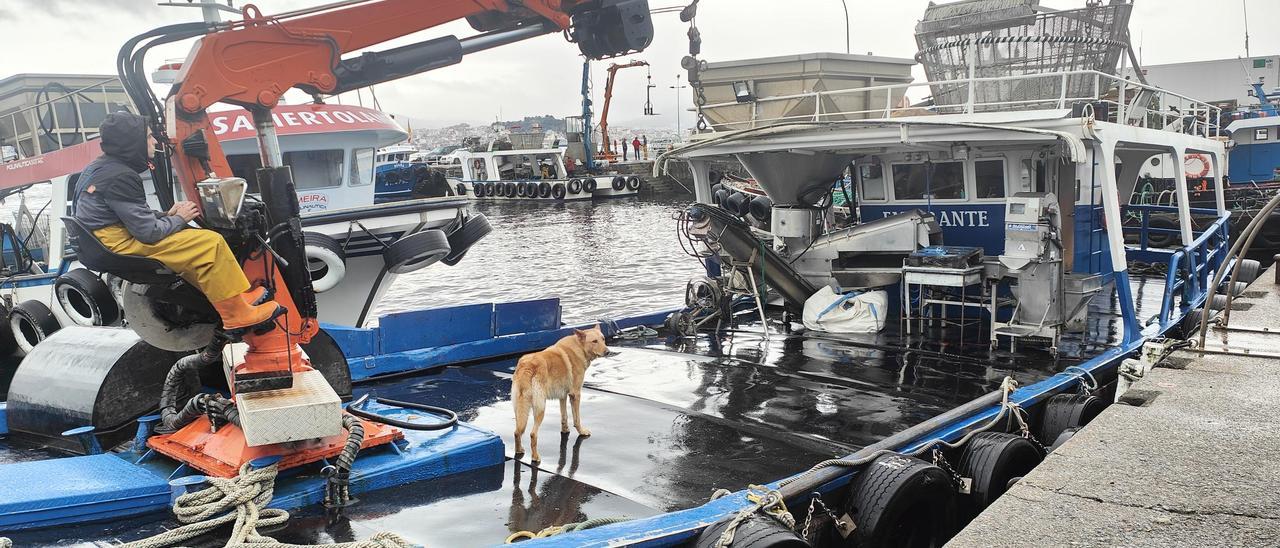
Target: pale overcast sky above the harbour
(543, 76)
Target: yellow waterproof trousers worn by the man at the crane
(199, 257)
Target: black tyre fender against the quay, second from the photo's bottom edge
(895, 494)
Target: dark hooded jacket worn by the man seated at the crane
(111, 191)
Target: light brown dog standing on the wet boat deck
(554, 373)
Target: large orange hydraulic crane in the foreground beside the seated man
(253, 63)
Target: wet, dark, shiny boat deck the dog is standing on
(673, 421)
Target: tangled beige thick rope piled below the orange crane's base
(243, 500)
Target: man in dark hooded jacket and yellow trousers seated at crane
(111, 200)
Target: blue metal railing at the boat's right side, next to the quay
(1190, 267)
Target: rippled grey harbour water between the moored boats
(605, 259)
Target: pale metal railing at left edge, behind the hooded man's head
(35, 122)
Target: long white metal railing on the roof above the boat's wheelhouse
(1133, 103)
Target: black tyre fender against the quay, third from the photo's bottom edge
(991, 460)
